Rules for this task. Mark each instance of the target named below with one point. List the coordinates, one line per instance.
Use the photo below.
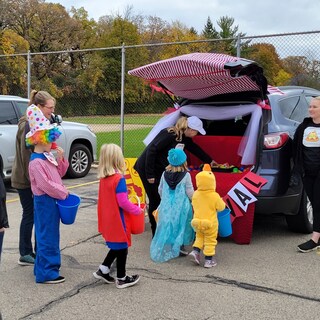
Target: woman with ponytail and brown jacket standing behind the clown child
(20, 176)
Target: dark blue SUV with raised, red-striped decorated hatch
(221, 96)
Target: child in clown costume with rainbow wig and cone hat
(45, 173)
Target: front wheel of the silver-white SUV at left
(80, 160)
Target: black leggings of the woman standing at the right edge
(312, 187)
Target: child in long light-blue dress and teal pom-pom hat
(174, 229)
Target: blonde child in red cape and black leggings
(114, 208)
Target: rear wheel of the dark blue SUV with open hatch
(303, 221)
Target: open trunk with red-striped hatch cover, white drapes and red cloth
(229, 95)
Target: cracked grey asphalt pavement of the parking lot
(267, 279)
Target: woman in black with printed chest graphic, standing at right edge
(306, 150)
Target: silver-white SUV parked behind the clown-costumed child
(77, 140)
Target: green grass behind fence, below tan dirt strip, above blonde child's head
(133, 141)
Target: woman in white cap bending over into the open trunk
(153, 161)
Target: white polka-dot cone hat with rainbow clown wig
(41, 130)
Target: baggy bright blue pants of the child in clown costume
(46, 223)
